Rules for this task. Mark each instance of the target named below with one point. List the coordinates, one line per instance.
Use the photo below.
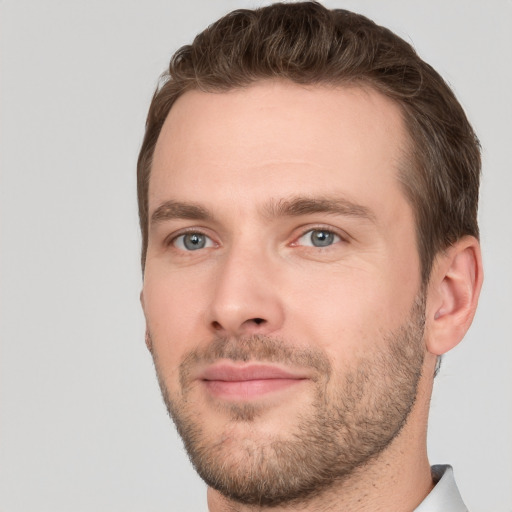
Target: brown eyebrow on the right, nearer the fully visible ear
(298, 206)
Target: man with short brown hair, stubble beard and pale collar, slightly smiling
(308, 195)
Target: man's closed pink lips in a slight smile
(247, 382)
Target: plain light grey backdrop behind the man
(82, 426)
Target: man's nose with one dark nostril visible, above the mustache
(247, 297)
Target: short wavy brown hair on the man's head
(310, 44)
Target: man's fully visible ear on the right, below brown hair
(453, 291)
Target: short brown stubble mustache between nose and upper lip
(258, 348)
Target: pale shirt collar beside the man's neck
(445, 496)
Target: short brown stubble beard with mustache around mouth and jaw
(351, 419)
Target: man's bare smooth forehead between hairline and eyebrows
(278, 136)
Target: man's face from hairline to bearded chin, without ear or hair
(282, 285)
